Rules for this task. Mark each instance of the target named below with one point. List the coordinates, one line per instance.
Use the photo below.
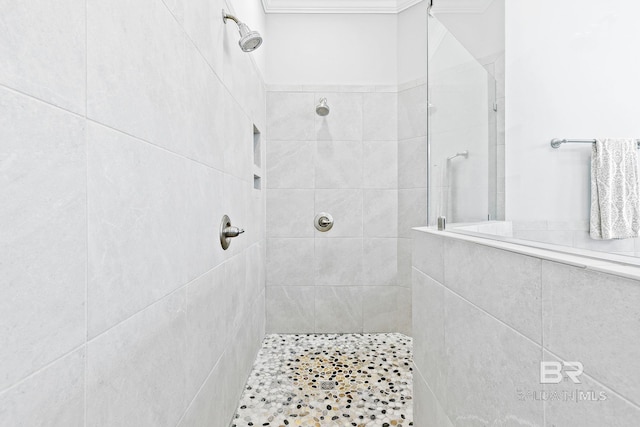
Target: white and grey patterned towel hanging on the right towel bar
(615, 205)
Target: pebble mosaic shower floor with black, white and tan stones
(329, 380)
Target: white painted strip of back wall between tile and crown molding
(343, 49)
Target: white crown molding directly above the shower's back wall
(337, 6)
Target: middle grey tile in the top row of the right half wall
(488, 277)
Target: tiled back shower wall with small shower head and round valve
(346, 164)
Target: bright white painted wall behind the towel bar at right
(573, 77)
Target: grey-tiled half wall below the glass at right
(488, 316)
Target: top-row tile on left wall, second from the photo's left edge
(141, 94)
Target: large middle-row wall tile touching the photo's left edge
(43, 239)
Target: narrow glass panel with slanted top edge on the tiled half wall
(462, 132)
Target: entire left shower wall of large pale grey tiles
(126, 132)
